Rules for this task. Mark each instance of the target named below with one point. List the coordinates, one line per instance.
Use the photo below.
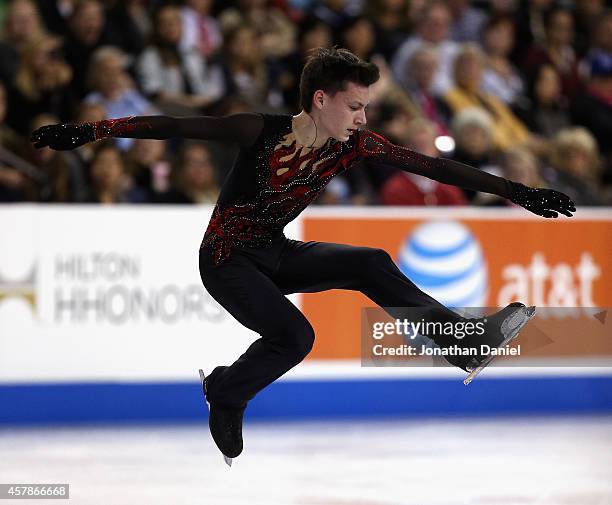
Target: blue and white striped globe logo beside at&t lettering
(444, 259)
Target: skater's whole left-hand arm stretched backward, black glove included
(241, 128)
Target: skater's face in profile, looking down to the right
(343, 112)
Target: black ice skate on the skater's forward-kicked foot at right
(500, 329)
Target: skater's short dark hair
(330, 69)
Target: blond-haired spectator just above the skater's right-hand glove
(574, 166)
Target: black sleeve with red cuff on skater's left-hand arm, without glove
(243, 128)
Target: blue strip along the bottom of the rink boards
(293, 400)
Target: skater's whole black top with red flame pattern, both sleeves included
(274, 178)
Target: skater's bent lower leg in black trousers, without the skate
(256, 302)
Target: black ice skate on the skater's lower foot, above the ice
(225, 426)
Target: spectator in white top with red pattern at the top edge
(200, 30)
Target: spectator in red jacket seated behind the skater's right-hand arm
(405, 188)
